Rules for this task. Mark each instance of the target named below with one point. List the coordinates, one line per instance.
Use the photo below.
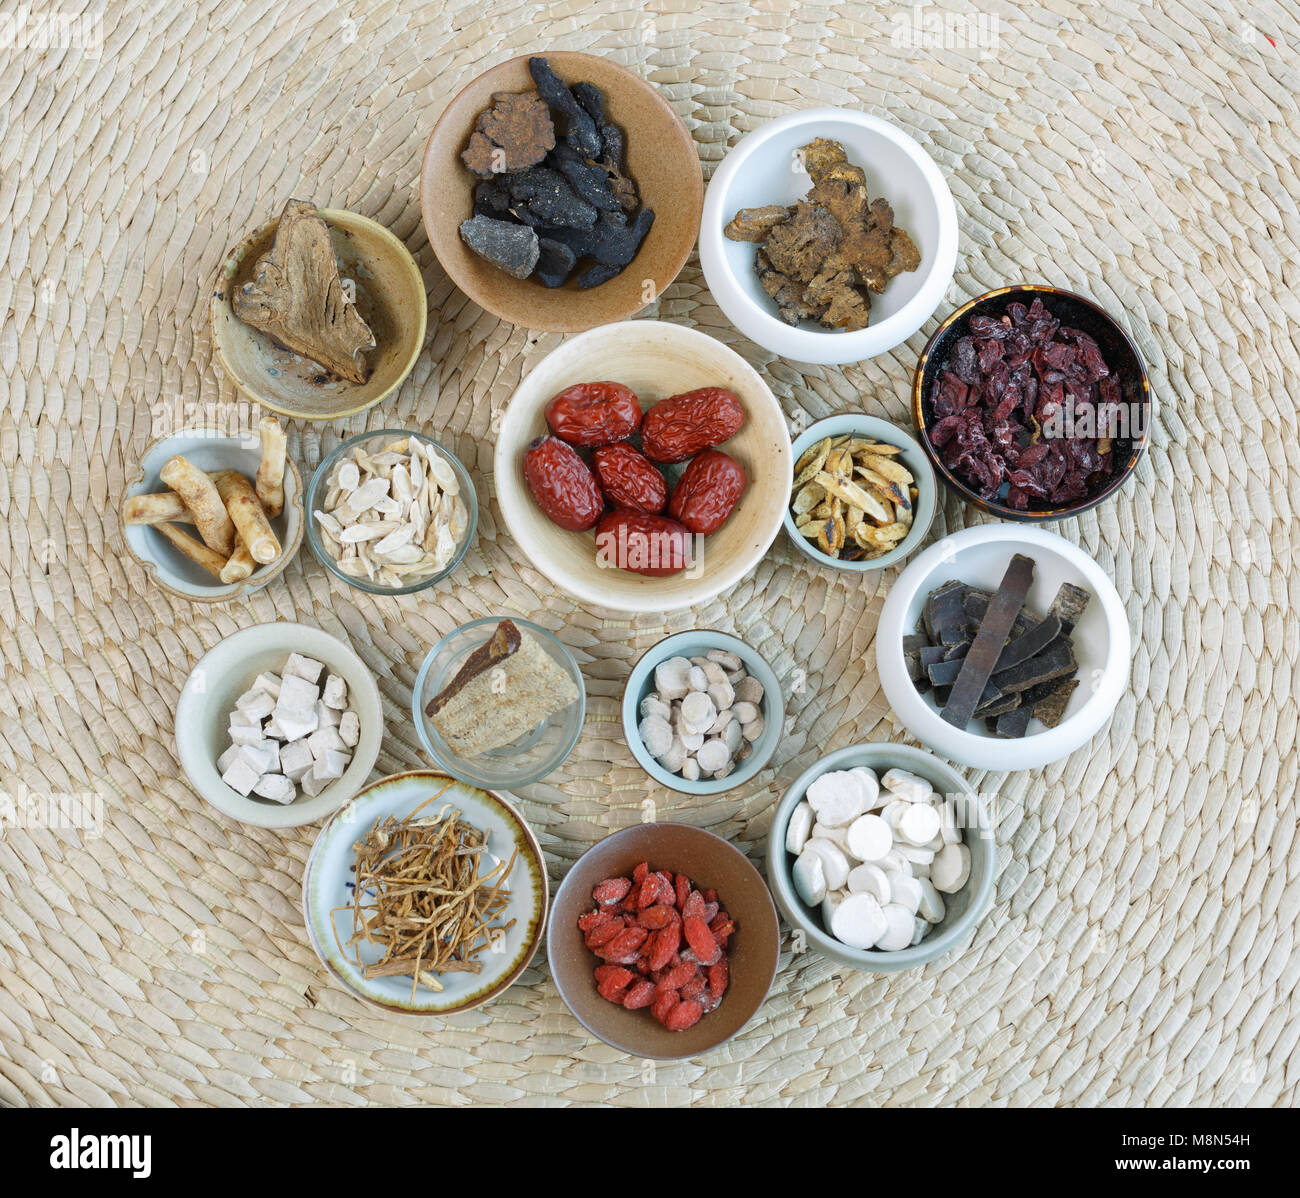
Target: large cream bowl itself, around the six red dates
(656, 361)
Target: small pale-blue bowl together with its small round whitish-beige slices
(703, 713)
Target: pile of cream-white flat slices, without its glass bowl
(395, 516)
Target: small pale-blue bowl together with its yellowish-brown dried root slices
(864, 496)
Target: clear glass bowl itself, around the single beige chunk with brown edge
(528, 759)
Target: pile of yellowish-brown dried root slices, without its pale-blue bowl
(852, 498)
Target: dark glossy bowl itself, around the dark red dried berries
(1072, 310)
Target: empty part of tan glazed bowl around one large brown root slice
(389, 296)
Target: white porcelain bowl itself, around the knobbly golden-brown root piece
(762, 170)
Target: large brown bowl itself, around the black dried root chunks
(661, 158)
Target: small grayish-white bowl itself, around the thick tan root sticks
(210, 450)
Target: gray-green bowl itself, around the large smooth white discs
(980, 886)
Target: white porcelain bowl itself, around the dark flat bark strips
(980, 557)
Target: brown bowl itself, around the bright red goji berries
(712, 863)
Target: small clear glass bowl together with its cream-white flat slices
(391, 513)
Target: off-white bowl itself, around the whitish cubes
(224, 674)
